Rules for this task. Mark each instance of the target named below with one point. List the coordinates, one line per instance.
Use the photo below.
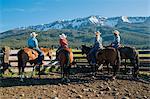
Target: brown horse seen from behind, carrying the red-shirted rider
(65, 58)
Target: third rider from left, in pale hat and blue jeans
(97, 45)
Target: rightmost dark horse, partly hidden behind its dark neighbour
(130, 53)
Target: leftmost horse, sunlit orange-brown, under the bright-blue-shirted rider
(29, 55)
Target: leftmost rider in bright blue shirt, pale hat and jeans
(33, 44)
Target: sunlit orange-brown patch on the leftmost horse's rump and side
(32, 54)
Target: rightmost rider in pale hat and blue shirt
(116, 42)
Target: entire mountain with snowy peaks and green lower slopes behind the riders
(134, 31)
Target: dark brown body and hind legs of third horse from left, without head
(109, 56)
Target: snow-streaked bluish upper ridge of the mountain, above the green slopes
(87, 21)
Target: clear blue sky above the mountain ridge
(20, 13)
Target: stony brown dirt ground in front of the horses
(82, 85)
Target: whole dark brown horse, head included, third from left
(109, 56)
